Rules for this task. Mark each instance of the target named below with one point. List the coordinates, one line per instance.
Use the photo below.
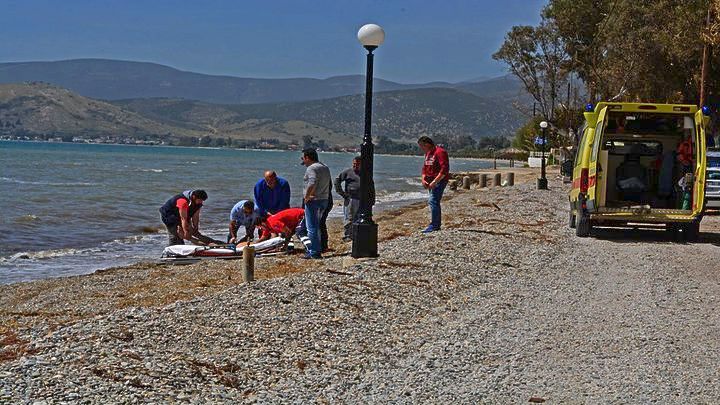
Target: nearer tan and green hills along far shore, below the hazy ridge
(33, 109)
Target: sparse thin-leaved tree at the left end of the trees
(537, 56)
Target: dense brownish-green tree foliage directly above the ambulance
(636, 50)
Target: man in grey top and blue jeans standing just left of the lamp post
(316, 190)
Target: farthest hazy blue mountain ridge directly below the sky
(114, 80)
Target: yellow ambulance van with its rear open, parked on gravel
(640, 164)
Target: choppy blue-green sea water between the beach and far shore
(76, 208)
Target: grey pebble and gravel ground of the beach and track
(504, 305)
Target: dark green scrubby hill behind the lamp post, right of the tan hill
(399, 115)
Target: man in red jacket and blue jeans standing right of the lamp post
(435, 173)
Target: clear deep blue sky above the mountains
(445, 40)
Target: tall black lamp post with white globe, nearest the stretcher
(364, 229)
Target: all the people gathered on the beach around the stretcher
(271, 215)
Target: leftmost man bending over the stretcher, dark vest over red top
(181, 216)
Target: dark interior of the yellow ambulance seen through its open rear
(645, 158)
